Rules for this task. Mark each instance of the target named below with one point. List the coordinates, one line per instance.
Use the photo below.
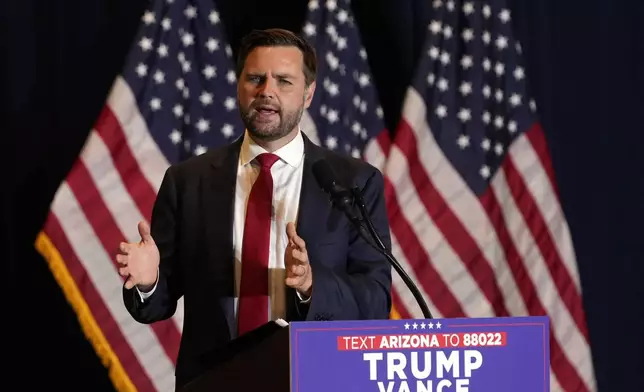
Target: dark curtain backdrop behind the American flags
(585, 62)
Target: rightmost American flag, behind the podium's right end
(471, 192)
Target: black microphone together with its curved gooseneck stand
(344, 199)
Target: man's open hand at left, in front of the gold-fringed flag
(139, 261)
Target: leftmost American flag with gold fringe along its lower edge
(176, 97)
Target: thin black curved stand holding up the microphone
(377, 243)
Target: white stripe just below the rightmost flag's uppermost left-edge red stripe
(442, 256)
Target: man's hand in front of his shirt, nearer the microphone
(296, 261)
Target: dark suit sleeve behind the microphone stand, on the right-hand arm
(363, 290)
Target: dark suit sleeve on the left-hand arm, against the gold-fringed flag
(162, 303)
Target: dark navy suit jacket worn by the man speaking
(192, 224)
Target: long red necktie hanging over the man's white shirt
(253, 296)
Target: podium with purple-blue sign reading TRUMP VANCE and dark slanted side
(438, 355)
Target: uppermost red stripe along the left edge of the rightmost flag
(452, 229)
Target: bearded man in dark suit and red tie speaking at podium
(246, 234)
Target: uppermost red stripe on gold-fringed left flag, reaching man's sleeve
(137, 185)
